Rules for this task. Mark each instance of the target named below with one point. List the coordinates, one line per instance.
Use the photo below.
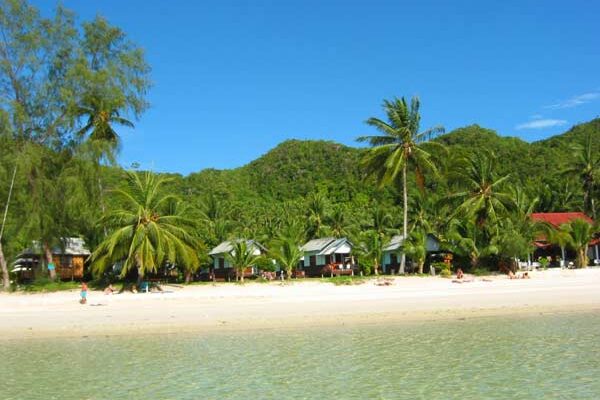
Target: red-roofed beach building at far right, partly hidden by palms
(547, 249)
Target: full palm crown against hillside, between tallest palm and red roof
(483, 198)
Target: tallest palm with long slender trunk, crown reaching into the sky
(398, 148)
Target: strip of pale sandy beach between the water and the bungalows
(223, 307)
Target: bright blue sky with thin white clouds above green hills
(232, 79)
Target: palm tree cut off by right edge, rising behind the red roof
(587, 168)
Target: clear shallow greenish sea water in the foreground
(540, 357)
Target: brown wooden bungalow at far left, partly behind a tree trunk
(68, 259)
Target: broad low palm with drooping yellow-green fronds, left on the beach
(150, 228)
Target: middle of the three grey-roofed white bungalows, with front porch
(328, 256)
